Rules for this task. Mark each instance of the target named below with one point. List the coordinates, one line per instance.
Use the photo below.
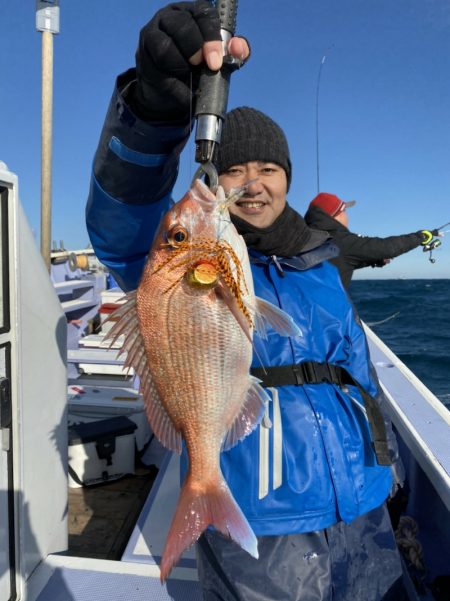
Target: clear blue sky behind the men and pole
(384, 106)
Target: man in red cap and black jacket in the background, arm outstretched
(327, 212)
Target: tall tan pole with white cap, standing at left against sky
(47, 21)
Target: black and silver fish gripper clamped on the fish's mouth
(212, 97)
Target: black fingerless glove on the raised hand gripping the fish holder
(165, 78)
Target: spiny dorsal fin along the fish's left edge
(127, 324)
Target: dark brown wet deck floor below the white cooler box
(102, 517)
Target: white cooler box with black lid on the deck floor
(101, 451)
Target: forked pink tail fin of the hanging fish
(215, 507)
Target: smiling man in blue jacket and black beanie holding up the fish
(307, 479)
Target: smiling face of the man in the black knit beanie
(265, 198)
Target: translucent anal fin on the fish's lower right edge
(251, 413)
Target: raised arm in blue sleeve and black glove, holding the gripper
(146, 128)
